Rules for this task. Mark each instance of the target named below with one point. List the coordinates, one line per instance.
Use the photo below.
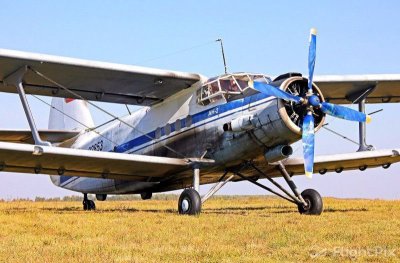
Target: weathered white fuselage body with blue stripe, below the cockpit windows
(205, 136)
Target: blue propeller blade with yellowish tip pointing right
(344, 112)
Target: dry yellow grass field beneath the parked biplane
(240, 229)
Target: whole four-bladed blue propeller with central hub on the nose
(311, 101)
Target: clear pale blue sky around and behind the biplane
(354, 37)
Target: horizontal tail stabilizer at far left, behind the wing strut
(25, 136)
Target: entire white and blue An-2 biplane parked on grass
(190, 131)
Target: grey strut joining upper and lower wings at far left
(15, 79)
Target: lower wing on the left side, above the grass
(25, 158)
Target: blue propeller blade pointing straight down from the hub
(308, 143)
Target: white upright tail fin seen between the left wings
(65, 112)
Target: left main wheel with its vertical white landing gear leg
(190, 201)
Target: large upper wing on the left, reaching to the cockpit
(98, 81)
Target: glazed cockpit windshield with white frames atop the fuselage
(229, 87)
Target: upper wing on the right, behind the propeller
(346, 89)
